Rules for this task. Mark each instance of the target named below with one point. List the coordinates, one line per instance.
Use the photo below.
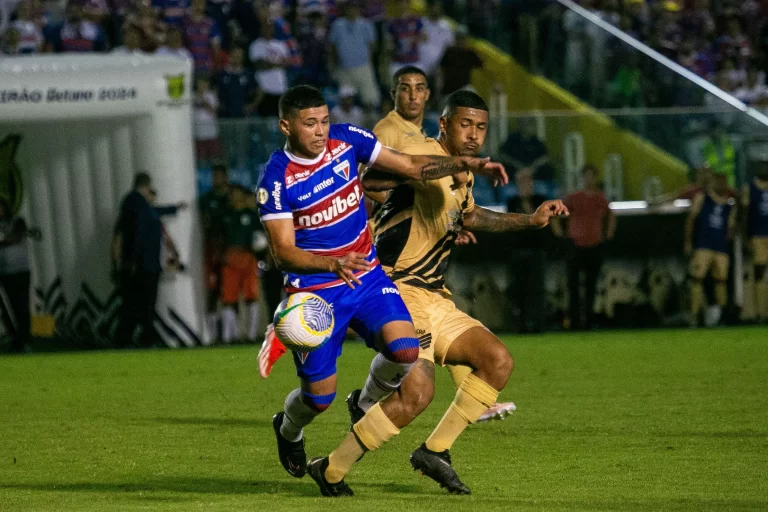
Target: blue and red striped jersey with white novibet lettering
(324, 198)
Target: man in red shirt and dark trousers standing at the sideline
(590, 224)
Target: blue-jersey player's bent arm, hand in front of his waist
(282, 243)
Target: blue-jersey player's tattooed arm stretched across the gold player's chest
(421, 167)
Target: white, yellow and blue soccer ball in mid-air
(303, 322)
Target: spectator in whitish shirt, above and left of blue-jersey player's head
(271, 58)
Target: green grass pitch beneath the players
(665, 420)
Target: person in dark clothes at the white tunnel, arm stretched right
(136, 255)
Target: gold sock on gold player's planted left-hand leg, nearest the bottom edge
(368, 434)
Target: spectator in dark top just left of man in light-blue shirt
(313, 44)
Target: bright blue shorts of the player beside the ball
(366, 309)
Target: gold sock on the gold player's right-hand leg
(472, 399)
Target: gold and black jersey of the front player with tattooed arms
(415, 228)
